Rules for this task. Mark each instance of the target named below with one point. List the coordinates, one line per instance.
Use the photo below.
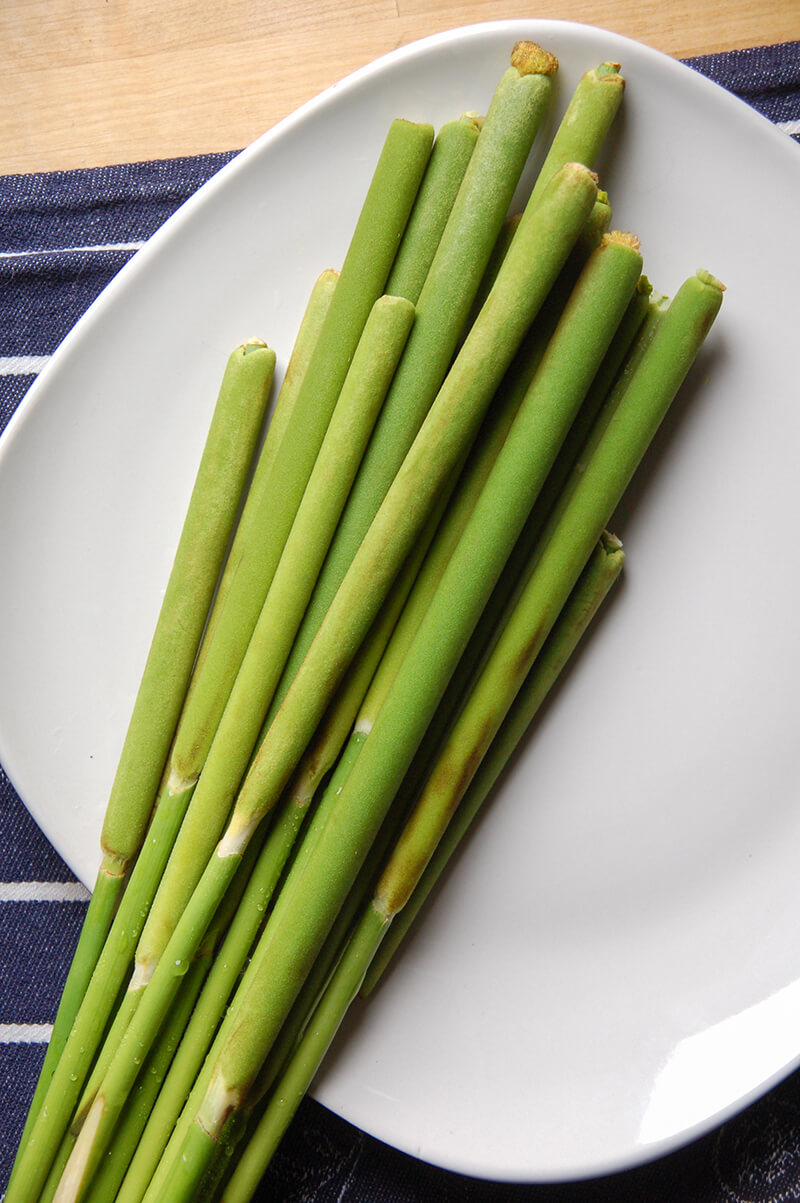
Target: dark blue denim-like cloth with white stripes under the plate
(63, 236)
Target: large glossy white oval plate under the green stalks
(615, 963)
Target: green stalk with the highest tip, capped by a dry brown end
(491, 179)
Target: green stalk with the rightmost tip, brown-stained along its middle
(592, 497)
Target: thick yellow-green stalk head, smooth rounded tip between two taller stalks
(365, 388)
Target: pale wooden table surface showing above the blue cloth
(94, 82)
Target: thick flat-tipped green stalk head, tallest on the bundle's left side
(364, 275)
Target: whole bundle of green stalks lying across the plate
(422, 544)
